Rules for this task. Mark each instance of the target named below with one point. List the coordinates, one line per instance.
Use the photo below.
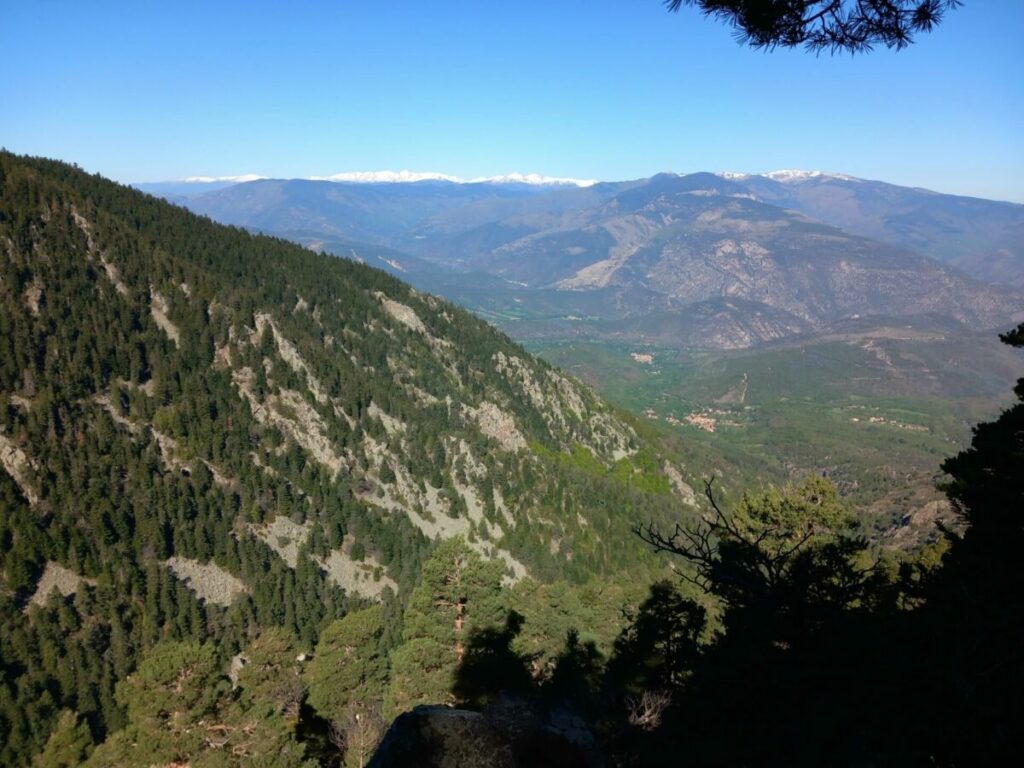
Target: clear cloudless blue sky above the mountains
(609, 90)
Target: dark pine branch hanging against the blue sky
(825, 25)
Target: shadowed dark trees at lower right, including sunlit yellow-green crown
(824, 660)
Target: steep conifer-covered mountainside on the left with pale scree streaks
(206, 434)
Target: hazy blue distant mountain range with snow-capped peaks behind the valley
(719, 261)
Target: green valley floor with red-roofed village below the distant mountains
(877, 412)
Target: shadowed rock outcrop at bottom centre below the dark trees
(509, 735)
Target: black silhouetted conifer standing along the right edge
(973, 623)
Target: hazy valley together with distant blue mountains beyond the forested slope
(861, 344)
